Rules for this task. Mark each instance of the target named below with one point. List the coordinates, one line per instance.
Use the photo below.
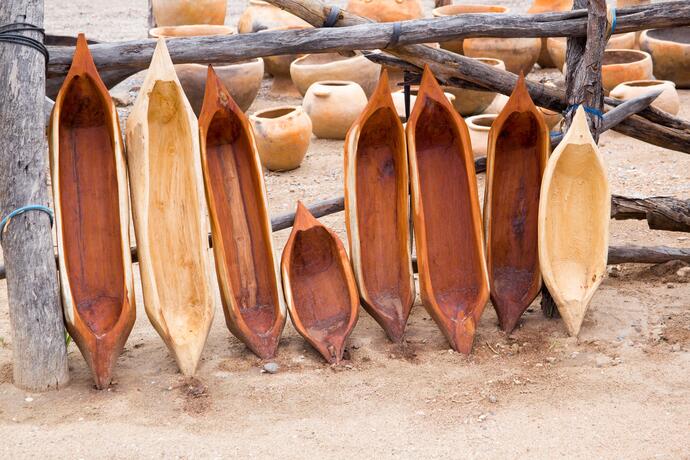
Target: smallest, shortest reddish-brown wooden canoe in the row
(320, 288)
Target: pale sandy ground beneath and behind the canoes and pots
(619, 391)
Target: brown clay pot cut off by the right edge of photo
(670, 50)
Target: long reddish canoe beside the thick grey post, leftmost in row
(89, 179)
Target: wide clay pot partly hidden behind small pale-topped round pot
(311, 68)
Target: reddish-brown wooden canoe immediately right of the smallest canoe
(377, 210)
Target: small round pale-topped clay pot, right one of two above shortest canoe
(333, 106)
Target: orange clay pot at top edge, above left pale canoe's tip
(180, 12)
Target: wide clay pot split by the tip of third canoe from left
(242, 80)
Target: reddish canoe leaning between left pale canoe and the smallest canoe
(240, 224)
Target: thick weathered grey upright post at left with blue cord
(38, 334)
